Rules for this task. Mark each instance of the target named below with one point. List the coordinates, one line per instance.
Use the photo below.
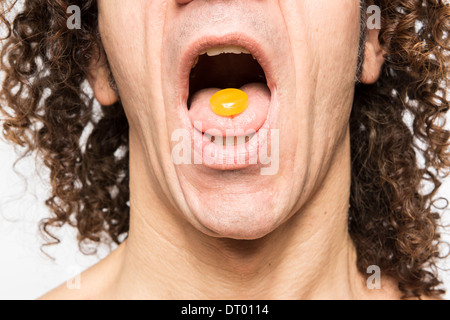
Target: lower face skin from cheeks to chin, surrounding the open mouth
(150, 43)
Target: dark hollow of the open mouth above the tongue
(226, 70)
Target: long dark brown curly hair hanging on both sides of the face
(398, 136)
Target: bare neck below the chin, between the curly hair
(309, 257)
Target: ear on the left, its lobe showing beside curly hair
(99, 79)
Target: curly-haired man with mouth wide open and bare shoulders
(263, 217)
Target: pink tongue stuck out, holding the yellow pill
(252, 119)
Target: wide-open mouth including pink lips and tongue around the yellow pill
(240, 134)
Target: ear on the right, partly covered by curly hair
(373, 58)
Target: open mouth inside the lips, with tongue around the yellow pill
(228, 67)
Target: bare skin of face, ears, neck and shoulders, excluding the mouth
(198, 233)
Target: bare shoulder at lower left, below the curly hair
(92, 284)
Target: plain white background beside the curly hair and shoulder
(25, 272)
